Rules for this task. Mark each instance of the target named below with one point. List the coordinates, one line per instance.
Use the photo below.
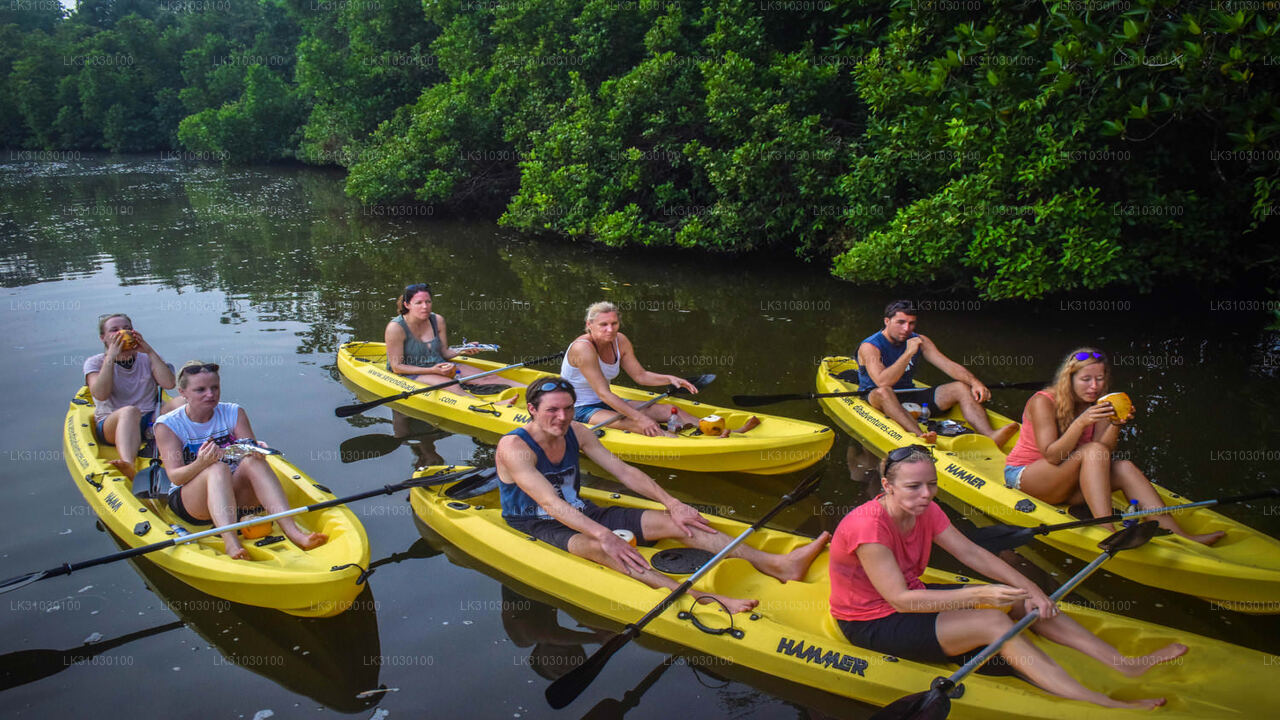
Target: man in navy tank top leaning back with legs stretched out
(538, 468)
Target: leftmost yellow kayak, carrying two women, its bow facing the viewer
(278, 575)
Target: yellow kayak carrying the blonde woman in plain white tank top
(779, 445)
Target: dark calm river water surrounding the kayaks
(268, 271)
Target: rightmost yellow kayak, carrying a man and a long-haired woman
(1241, 572)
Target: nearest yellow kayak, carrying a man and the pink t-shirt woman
(792, 635)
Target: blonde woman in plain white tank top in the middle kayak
(595, 359)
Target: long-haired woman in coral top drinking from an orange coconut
(1064, 452)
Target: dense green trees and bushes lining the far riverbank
(1014, 148)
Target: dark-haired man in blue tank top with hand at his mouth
(886, 366)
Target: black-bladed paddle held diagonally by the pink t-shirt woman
(935, 704)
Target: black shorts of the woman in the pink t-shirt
(913, 636)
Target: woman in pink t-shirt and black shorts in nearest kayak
(877, 557)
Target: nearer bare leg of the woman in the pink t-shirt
(962, 631)
